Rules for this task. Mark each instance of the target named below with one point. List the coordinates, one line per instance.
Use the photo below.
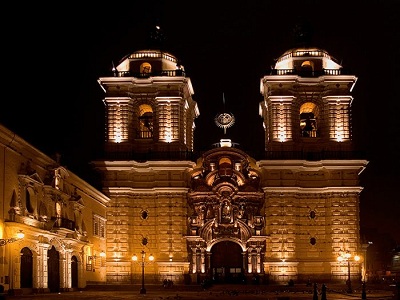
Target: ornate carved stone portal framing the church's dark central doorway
(227, 205)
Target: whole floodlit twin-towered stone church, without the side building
(223, 214)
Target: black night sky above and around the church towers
(54, 56)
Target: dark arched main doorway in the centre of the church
(227, 263)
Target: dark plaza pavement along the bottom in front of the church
(217, 292)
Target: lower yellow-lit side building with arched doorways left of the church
(61, 216)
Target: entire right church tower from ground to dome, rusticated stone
(311, 203)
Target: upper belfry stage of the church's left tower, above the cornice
(149, 106)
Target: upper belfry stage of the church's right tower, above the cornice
(307, 104)
